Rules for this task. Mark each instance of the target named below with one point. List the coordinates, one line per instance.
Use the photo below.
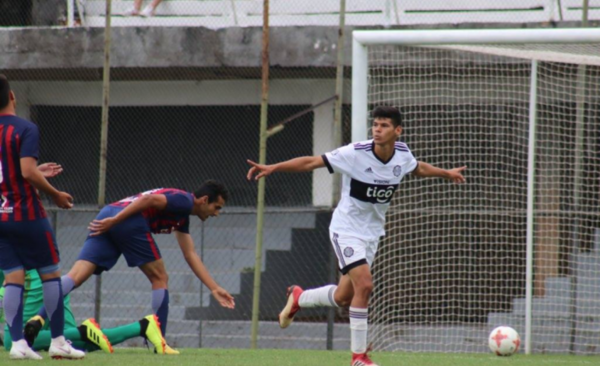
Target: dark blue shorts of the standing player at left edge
(28, 245)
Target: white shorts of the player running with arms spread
(352, 251)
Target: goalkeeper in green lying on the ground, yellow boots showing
(88, 336)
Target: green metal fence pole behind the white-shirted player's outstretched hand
(262, 159)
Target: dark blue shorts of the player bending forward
(132, 238)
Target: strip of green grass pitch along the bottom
(237, 357)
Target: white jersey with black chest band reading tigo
(368, 185)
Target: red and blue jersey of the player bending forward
(176, 216)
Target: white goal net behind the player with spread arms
(453, 264)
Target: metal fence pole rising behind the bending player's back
(103, 139)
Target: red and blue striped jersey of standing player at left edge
(19, 200)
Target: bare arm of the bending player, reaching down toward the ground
(193, 260)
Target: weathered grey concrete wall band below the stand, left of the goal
(66, 48)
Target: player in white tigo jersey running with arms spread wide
(371, 171)
